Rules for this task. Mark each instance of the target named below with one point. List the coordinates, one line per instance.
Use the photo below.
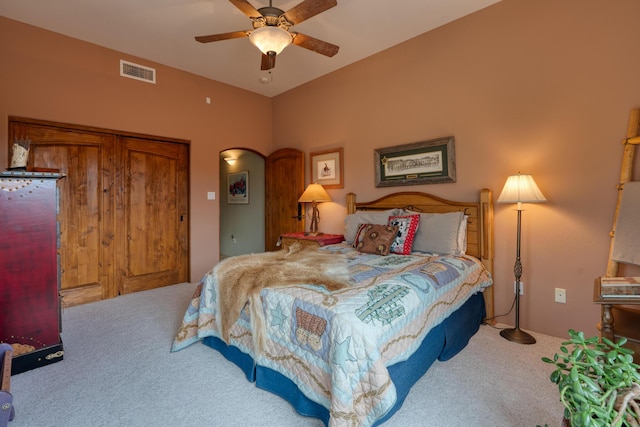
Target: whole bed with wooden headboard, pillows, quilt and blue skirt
(349, 356)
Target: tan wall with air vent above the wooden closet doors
(48, 76)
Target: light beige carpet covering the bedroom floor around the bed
(118, 371)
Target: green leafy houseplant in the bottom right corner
(598, 382)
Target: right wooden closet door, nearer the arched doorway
(152, 214)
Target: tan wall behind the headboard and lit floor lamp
(542, 87)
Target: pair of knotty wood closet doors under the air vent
(124, 223)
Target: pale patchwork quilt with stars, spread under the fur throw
(336, 346)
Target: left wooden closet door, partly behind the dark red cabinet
(86, 210)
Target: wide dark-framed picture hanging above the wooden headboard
(427, 162)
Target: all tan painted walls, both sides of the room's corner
(542, 87)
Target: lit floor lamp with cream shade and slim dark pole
(519, 189)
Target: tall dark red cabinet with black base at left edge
(29, 277)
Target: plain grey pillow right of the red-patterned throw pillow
(438, 233)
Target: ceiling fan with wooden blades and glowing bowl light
(271, 29)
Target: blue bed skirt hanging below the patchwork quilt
(441, 343)
